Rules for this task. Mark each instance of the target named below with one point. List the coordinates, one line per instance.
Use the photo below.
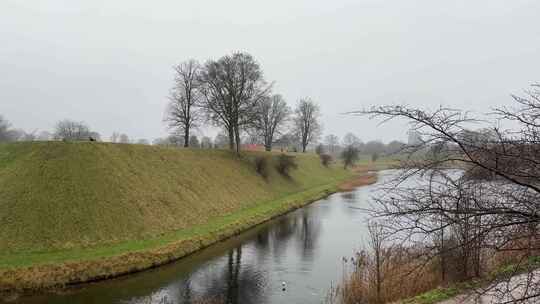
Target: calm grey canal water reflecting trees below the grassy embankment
(302, 251)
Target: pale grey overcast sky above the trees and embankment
(108, 63)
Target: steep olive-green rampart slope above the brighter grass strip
(56, 195)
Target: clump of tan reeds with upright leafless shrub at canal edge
(386, 272)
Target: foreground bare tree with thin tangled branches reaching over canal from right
(489, 206)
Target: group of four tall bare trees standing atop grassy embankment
(231, 93)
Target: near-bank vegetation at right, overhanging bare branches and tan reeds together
(438, 228)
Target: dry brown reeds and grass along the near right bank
(406, 274)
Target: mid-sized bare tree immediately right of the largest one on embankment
(271, 114)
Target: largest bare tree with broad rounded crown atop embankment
(232, 86)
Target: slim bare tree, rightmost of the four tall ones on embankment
(306, 122)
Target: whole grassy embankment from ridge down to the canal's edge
(77, 212)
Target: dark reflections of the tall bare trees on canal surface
(243, 279)
